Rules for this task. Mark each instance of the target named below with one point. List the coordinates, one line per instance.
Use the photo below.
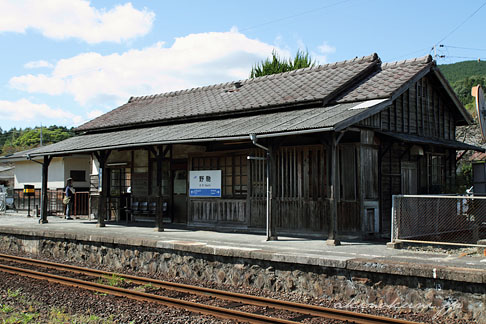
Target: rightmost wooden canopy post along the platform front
(332, 235)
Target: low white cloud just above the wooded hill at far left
(26, 111)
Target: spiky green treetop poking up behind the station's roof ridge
(277, 65)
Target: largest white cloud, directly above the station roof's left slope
(193, 60)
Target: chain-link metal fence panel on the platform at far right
(454, 220)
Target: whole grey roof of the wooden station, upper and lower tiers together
(323, 98)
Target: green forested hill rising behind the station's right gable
(463, 76)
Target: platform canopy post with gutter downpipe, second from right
(272, 170)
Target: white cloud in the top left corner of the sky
(61, 19)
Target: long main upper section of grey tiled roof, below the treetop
(301, 86)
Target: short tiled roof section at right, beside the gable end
(384, 82)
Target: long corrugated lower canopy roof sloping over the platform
(317, 118)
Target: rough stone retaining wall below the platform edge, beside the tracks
(355, 288)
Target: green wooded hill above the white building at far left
(15, 140)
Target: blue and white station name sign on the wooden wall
(205, 183)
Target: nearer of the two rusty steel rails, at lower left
(141, 296)
